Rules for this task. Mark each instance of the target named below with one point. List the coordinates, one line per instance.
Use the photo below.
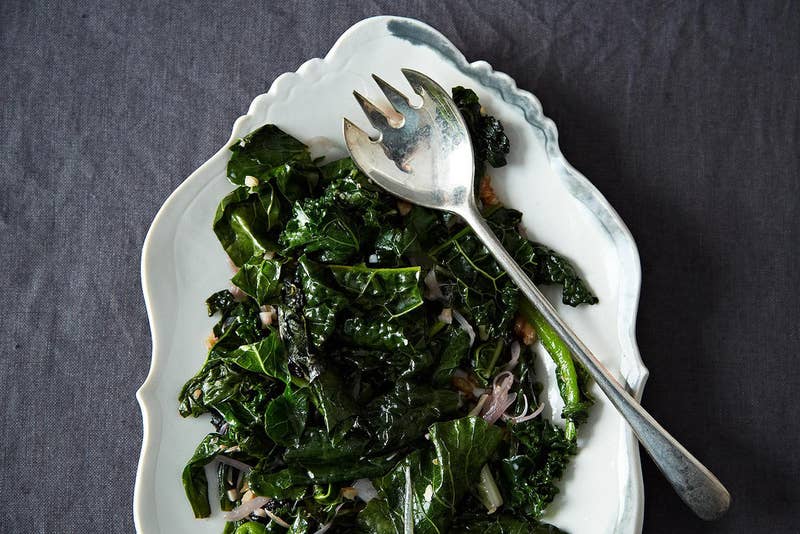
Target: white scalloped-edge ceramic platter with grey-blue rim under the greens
(182, 263)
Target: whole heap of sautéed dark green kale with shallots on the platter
(364, 344)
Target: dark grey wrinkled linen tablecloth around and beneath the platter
(685, 115)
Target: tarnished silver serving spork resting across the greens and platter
(424, 155)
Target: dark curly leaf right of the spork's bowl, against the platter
(489, 141)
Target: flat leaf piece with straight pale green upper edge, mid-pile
(395, 290)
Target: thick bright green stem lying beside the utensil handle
(566, 375)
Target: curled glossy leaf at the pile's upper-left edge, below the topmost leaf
(245, 221)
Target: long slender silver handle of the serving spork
(693, 482)
